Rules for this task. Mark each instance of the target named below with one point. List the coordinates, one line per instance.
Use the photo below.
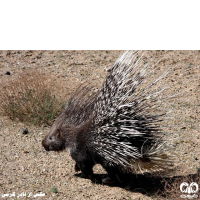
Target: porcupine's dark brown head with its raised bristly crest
(72, 122)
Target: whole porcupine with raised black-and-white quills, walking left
(117, 127)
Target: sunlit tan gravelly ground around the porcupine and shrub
(27, 169)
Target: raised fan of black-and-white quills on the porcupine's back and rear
(128, 115)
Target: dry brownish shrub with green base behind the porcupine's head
(30, 98)
